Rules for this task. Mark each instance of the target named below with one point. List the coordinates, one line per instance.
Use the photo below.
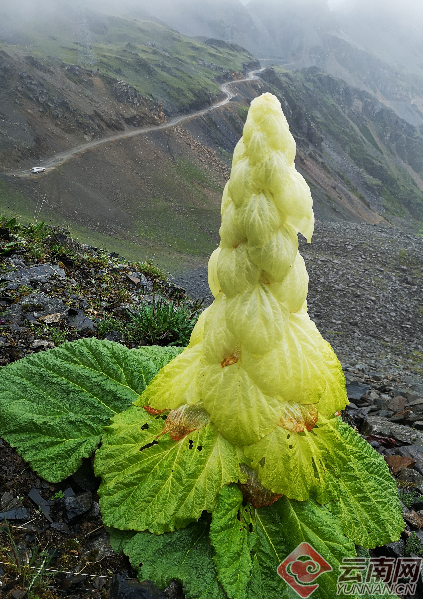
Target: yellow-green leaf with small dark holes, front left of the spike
(169, 483)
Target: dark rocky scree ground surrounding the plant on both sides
(364, 294)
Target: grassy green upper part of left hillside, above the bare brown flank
(163, 66)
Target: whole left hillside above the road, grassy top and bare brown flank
(57, 90)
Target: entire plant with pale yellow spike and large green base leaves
(220, 459)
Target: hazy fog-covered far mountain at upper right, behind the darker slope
(374, 46)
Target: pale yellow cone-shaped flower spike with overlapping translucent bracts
(256, 363)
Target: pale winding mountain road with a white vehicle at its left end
(51, 163)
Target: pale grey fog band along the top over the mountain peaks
(194, 17)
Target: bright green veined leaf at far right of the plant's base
(368, 509)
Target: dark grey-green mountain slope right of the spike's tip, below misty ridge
(363, 144)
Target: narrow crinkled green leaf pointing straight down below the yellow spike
(230, 538)
